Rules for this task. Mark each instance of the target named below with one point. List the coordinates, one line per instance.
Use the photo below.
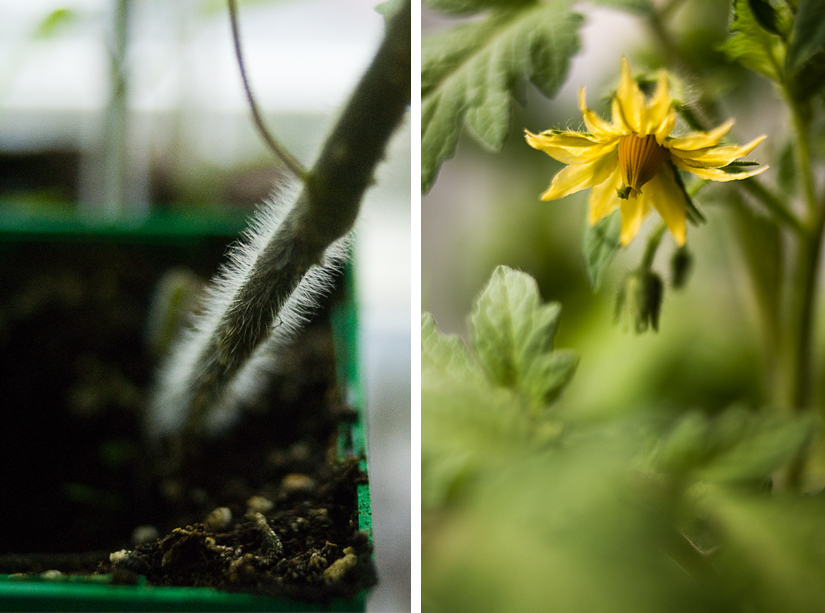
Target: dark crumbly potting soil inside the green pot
(268, 507)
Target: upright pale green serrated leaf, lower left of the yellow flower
(513, 337)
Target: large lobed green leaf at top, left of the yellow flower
(470, 73)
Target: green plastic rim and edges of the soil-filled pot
(189, 234)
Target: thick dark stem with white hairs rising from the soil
(324, 212)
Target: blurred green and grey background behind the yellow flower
(484, 210)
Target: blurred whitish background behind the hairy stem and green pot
(122, 115)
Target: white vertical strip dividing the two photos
(415, 311)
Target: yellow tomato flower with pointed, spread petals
(630, 162)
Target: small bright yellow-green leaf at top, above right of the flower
(752, 46)
